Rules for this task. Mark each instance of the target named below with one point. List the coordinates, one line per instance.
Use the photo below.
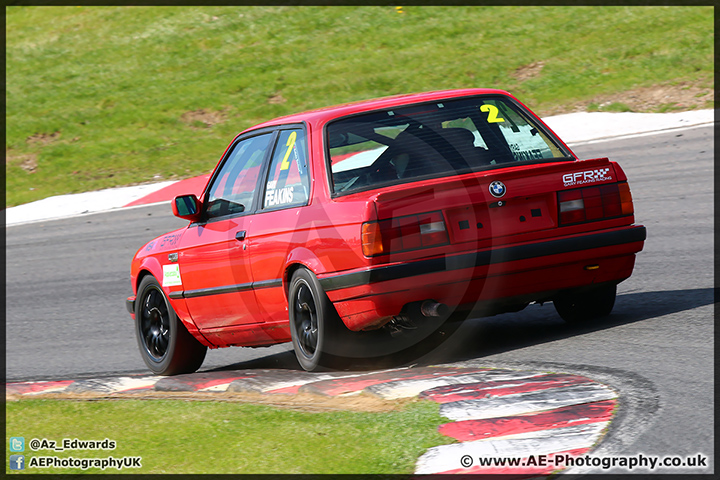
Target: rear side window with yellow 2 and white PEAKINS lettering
(288, 182)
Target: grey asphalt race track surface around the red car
(67, 281)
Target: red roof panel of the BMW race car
(322, 115)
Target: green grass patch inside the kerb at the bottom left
(175, 436)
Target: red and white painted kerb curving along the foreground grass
(495, 412)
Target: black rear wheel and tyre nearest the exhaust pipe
(314, 323)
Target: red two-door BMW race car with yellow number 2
(335, 228)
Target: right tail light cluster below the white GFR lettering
(594, 203)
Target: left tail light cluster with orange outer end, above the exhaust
(399, 234)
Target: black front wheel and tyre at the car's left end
(165, 344)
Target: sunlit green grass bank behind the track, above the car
(99, 96)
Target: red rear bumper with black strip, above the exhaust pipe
(364, 296)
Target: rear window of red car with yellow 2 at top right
(435, 139)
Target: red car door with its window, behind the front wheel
(214, 261)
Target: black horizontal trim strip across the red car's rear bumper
(486, 257)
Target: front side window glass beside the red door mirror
(233, 189)
